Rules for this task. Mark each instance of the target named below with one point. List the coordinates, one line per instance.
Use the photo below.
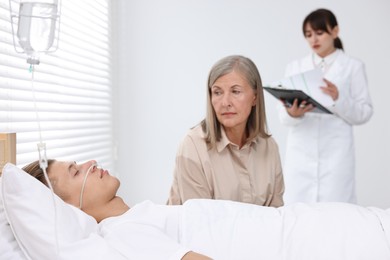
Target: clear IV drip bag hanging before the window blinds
(36, 25)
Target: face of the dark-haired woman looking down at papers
(321, 41)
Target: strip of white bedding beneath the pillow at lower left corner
(9, 248)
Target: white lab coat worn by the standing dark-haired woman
(320, 161)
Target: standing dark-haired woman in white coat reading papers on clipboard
(320, 161)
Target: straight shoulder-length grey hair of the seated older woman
(257, 123)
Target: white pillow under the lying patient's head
(29, 209)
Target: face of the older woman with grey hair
(232, 99)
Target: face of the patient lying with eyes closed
(67, 179)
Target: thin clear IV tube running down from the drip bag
(43, 159)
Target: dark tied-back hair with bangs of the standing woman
(320, 19)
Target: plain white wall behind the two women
(164, 50)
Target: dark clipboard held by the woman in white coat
(288, 95)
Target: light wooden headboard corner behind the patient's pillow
(7, 149)
